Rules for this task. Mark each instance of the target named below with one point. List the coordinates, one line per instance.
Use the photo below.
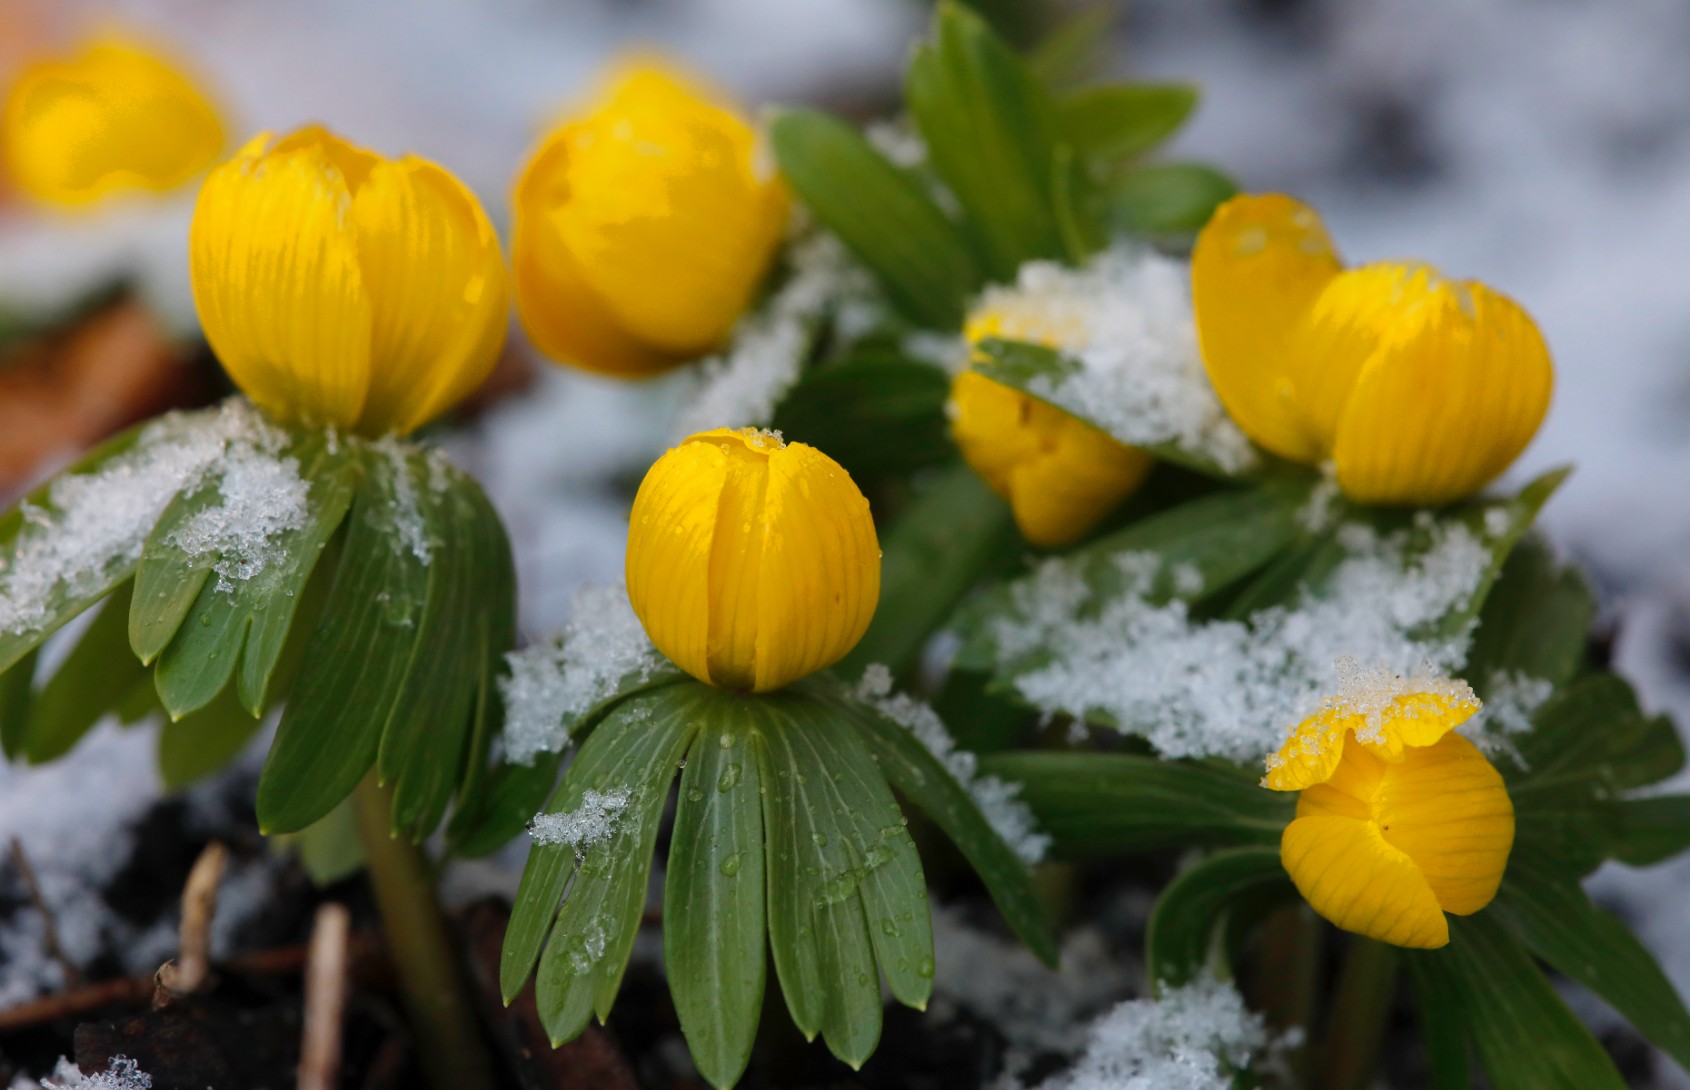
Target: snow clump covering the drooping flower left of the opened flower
(1126, 319)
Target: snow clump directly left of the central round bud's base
(553, 684)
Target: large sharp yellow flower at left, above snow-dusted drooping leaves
(344, 288)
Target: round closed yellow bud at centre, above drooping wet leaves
(751, 562)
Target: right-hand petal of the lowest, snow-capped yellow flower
(1446, 807)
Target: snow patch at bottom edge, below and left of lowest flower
(1192, 1038)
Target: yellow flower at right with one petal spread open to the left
(1419, 390)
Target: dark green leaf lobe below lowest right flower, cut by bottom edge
(1522, 1030)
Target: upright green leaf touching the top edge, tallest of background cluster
(989, 134)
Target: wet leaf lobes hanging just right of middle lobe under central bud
(839, 858)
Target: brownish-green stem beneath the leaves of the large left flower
(449, 1038)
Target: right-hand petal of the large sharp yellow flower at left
(439, 292)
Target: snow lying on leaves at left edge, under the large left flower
(99, 521)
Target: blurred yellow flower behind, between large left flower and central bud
(643, 227)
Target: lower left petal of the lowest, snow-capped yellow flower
(1355, 878)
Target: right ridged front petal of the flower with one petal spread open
(1453, 395)
